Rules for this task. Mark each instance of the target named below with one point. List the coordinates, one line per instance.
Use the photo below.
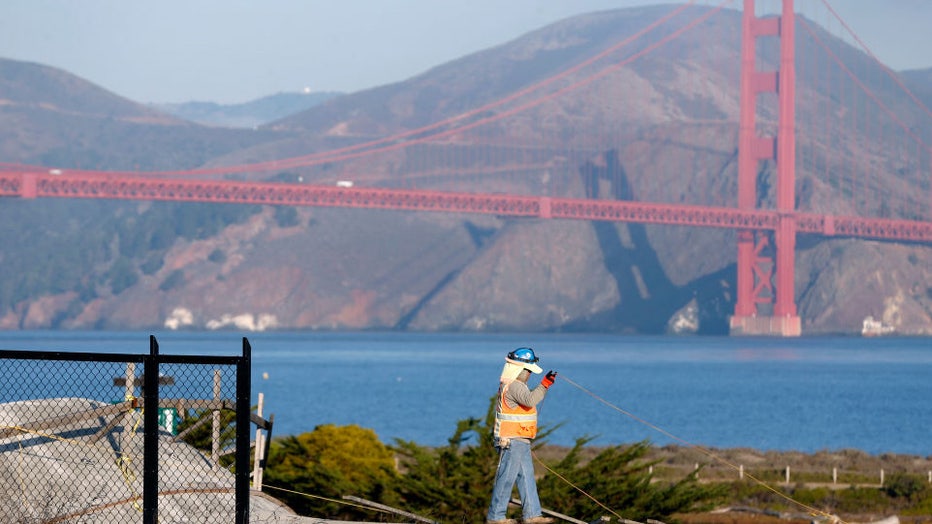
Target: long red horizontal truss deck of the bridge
(83, 185)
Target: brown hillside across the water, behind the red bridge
(132, 266)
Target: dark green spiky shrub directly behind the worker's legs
(454, 483)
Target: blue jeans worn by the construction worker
(515, 466)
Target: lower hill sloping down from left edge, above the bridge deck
(50, 117)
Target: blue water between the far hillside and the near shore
(805, 394)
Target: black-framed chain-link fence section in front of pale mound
(124, 438)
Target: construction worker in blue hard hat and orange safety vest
(515, 428)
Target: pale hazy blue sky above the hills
(232, 51)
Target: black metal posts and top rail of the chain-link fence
(151, 397)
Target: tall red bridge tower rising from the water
(765, 280)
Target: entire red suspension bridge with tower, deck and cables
(526, 170)
